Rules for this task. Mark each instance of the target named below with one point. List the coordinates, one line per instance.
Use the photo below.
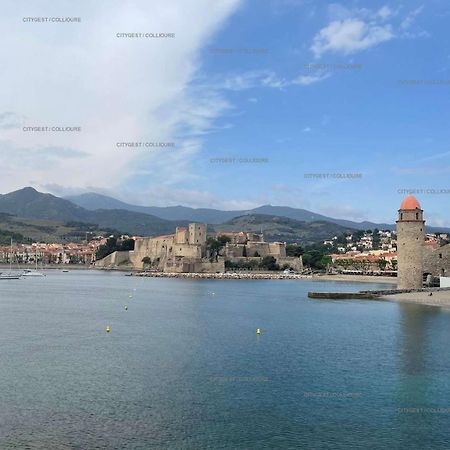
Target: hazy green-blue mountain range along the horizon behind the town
(106, 213)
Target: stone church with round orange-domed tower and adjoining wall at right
(415, 259)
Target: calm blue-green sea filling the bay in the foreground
(183, 368)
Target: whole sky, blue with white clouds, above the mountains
(235, 83)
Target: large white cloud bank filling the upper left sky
(117, 90)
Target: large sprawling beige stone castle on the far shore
(187, 251)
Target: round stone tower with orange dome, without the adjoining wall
(410, 241)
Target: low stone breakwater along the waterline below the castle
(225, 276)
